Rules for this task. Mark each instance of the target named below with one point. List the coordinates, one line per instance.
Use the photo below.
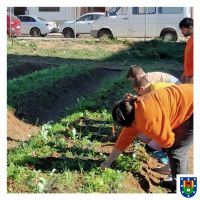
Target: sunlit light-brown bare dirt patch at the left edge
(18, 130)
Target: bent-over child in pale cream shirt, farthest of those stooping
(136, 71)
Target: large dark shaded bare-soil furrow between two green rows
(51, 103)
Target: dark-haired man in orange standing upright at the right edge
(186, 26)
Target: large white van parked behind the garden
(141, 22)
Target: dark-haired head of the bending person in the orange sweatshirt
(124, 112)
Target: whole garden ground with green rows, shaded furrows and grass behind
(69, 95)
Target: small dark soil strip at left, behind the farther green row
(26, 68)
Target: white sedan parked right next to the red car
(36, 26)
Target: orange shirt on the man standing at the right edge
(188, 58)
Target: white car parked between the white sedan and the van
(81, 26)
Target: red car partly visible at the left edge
(13, 25)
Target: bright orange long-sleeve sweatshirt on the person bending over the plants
(157, 114)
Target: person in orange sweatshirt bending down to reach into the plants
(164, 115)
